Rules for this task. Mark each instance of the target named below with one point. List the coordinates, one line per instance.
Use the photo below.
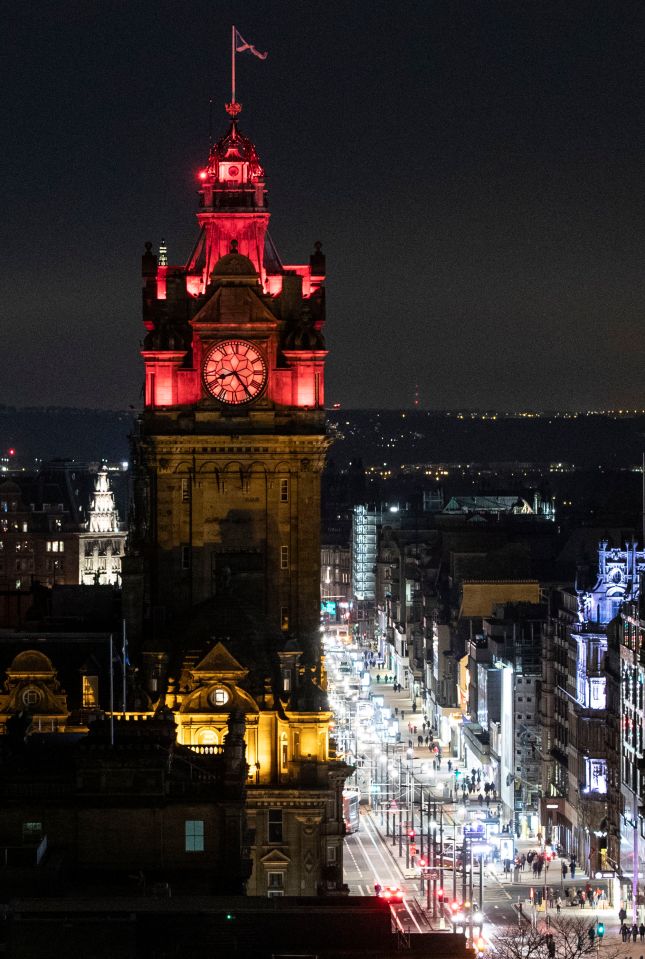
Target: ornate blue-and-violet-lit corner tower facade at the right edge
(598, 745)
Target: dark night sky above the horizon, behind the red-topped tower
(474, 170)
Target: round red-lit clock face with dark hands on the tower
(234, 372)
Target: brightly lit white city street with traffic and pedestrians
(393, 842)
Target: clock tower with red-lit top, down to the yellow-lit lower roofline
(232, 438)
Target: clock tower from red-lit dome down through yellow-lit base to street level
(222, 583)
